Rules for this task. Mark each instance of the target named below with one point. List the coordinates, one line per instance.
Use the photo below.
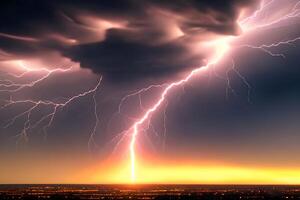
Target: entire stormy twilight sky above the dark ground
(58, 124)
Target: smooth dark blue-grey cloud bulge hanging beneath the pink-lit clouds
(121, 59)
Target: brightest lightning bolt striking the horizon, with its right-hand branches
(222, 47)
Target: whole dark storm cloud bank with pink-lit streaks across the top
(117, 38)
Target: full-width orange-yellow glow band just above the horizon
(27, 170)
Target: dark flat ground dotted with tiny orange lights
(148, 192)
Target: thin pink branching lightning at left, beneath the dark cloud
(12, 87)
